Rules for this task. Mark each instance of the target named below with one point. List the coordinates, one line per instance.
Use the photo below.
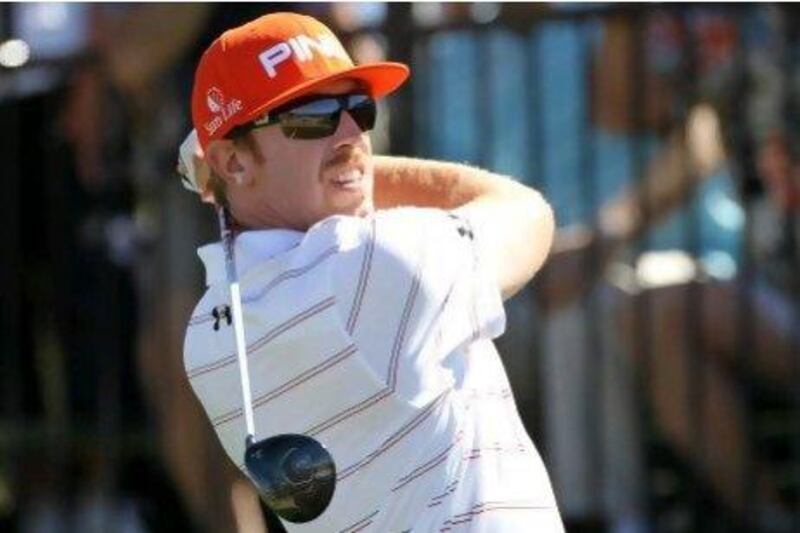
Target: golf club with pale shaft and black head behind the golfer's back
(294, 474)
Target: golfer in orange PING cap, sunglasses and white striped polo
(372, 288)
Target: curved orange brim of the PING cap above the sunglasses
(380, 79)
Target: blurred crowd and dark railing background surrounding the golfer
(655, 359)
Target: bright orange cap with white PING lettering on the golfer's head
(269, 61)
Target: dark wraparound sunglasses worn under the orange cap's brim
(315, 117)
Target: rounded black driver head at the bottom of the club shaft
(294, 474)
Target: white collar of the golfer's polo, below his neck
(251, 247)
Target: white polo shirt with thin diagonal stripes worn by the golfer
(373, 335)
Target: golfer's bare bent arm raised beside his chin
(515, 221)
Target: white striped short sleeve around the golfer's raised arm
(414, 289)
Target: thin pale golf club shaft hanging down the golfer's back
(228, 238)
